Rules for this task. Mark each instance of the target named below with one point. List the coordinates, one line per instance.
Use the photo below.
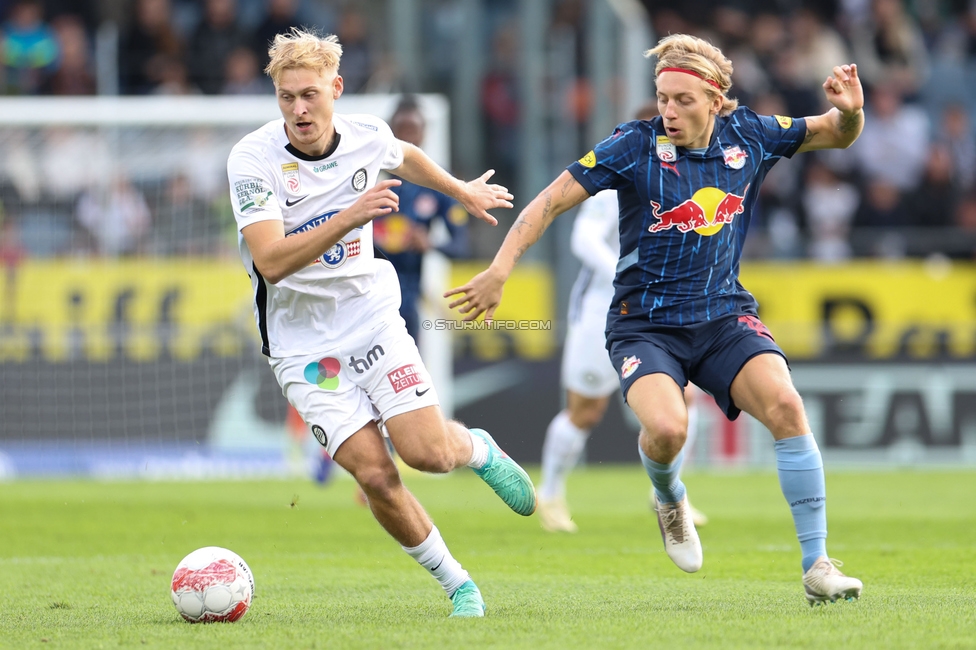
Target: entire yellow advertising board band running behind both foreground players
(88, 309)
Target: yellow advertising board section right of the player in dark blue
(882, 310)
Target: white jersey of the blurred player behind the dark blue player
(596, 243)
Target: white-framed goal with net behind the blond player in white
(127, 341)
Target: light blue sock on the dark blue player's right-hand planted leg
(800, 469)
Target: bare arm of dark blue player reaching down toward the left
(483, 293)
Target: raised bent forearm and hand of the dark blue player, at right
(839, 127)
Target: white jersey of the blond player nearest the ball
(346, 289)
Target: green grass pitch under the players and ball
(87, 564)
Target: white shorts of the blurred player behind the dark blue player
(587, 369)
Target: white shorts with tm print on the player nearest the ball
(369, 377)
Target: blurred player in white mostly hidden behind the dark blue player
(587, 374)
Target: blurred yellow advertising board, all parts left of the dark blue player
(143, 309)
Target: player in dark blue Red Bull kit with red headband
(687, 183)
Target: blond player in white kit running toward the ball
(304, 193)
